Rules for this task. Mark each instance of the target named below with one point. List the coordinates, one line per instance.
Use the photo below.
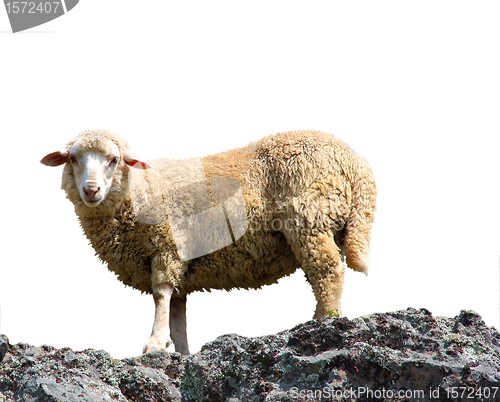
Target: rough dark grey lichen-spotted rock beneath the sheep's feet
(404, 355)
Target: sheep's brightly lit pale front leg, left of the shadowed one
(159, 339)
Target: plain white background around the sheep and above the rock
(414, 87)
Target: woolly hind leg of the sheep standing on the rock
(321, 262)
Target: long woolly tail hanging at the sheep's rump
(357, 233)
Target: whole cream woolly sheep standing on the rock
(308, 202)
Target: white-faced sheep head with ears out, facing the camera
(96, 162)
